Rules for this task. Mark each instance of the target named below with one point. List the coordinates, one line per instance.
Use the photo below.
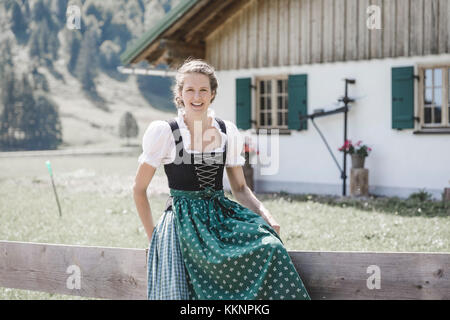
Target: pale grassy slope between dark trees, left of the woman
(84, 125)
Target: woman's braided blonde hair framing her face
(192, 65)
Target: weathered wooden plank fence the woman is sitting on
(121, 273)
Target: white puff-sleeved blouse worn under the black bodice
(158, 143)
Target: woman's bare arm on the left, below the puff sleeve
(143, 177)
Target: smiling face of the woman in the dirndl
(196, 93)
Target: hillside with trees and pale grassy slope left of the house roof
(78, 67)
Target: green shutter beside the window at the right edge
(403, 98)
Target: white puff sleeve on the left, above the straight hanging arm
(156, 143)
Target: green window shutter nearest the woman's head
(243, 103)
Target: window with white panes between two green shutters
(272, 102)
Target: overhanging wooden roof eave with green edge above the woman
(181, 32)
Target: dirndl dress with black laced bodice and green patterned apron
(209, 247)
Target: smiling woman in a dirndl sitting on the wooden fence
(205, 245)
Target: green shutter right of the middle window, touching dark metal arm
(297, 101)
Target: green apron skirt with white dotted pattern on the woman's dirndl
(230, 252)
